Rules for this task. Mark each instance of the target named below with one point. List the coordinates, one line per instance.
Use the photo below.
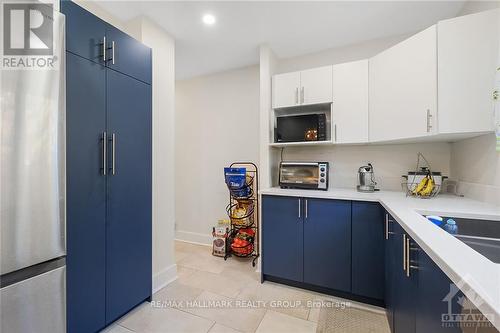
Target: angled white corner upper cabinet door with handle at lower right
(403, 89)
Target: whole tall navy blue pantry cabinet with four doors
(109, 171)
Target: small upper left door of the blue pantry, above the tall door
(84, 32)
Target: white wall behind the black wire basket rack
(217, 122)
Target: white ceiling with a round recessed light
(290, 28)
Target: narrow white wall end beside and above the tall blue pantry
(162, 45)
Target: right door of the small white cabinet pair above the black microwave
(316, 85)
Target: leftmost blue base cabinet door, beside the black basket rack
(282, 237)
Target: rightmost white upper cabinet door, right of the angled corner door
(467, 62)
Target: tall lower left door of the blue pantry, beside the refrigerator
(86, 201)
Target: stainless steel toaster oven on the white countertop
(304, 175)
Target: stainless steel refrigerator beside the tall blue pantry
(32, 196)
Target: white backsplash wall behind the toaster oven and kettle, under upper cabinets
(390, 162)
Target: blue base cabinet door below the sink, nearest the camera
(435, 289)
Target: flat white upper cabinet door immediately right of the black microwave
(350, 102)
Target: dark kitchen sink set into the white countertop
(481, 235)
